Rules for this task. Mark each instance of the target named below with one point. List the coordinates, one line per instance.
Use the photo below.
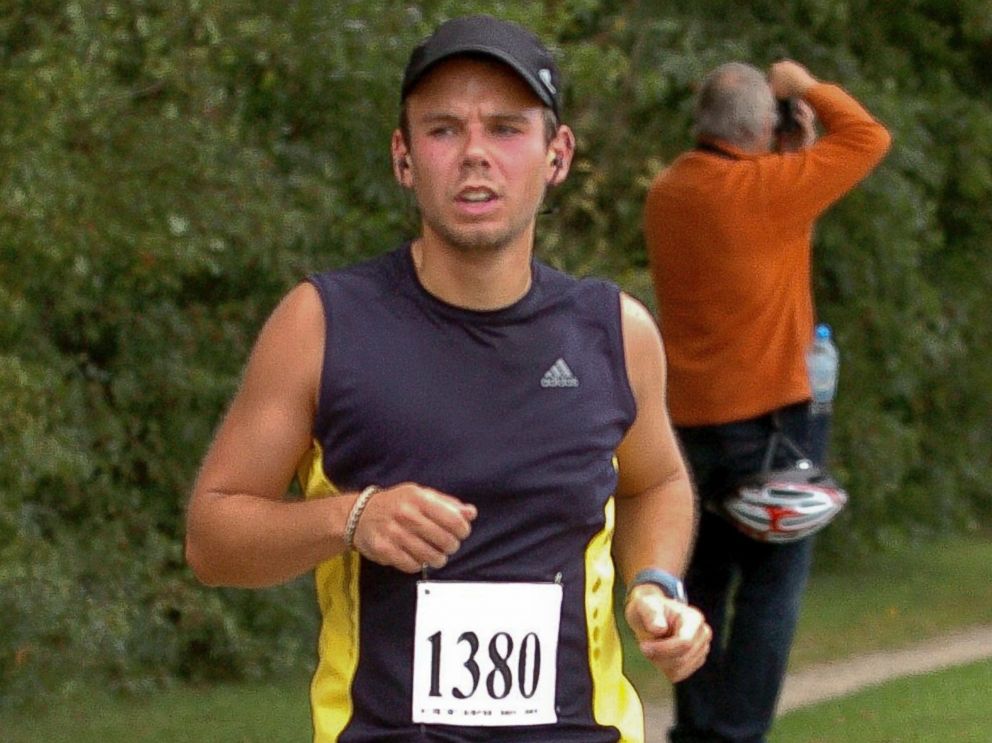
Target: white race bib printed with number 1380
(486, 654)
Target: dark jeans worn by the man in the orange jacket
(749, 591)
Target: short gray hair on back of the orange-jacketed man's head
(734, 104)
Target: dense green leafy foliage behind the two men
(169, 169)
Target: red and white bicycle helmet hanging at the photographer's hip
(785, 505)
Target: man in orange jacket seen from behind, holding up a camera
(728, 228)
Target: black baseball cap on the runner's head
(503, 40)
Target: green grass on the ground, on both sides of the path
(890, 601)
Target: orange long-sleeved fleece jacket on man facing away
(729, 244)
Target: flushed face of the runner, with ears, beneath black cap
(478, 160)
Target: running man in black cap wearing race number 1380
(474, 432)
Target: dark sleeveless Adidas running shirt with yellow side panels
(518, 411)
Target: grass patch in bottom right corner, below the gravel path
(951, 705)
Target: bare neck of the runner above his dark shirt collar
(486, 279)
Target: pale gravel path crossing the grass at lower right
(840, 678)
